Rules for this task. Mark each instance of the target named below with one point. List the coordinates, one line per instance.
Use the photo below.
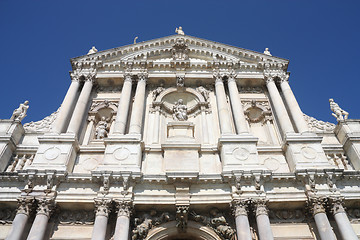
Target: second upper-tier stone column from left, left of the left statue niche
(80, 108)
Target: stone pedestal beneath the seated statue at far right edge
(348, 133)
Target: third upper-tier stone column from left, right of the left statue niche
(124, 103)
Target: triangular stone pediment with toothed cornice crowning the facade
(158, 52)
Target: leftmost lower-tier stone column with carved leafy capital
(21, 218)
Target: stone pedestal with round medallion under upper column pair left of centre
(122, 153)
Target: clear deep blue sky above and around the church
(320, 38)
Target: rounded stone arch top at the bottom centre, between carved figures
(194, 231)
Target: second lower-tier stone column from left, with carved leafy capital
(39, 226)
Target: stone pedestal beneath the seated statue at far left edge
(10, 135)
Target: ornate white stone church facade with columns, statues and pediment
(179, 138)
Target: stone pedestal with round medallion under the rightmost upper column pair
(304, 151)
